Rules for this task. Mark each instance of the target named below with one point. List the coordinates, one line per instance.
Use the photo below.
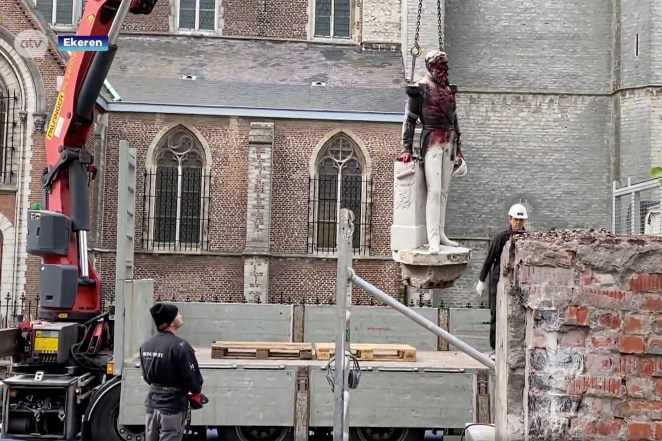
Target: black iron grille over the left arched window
(176, 209)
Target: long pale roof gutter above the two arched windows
(251, 112)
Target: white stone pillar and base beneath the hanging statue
(423, 269)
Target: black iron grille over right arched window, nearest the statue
(324, 206)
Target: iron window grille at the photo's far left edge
(8, 135)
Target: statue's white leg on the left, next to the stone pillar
(433, 181)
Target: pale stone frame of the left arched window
(158, 145)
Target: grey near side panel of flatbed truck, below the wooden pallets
(440, 390)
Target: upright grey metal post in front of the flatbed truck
(344, 302)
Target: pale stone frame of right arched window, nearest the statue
(362, 156)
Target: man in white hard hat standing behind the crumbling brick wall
(516, 217)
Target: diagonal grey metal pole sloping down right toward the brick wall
(427, 324)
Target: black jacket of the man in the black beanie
(169, 361)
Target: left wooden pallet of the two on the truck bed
(262, 350)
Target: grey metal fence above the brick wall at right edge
(637, 208)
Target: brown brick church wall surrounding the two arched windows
(292, 271)
